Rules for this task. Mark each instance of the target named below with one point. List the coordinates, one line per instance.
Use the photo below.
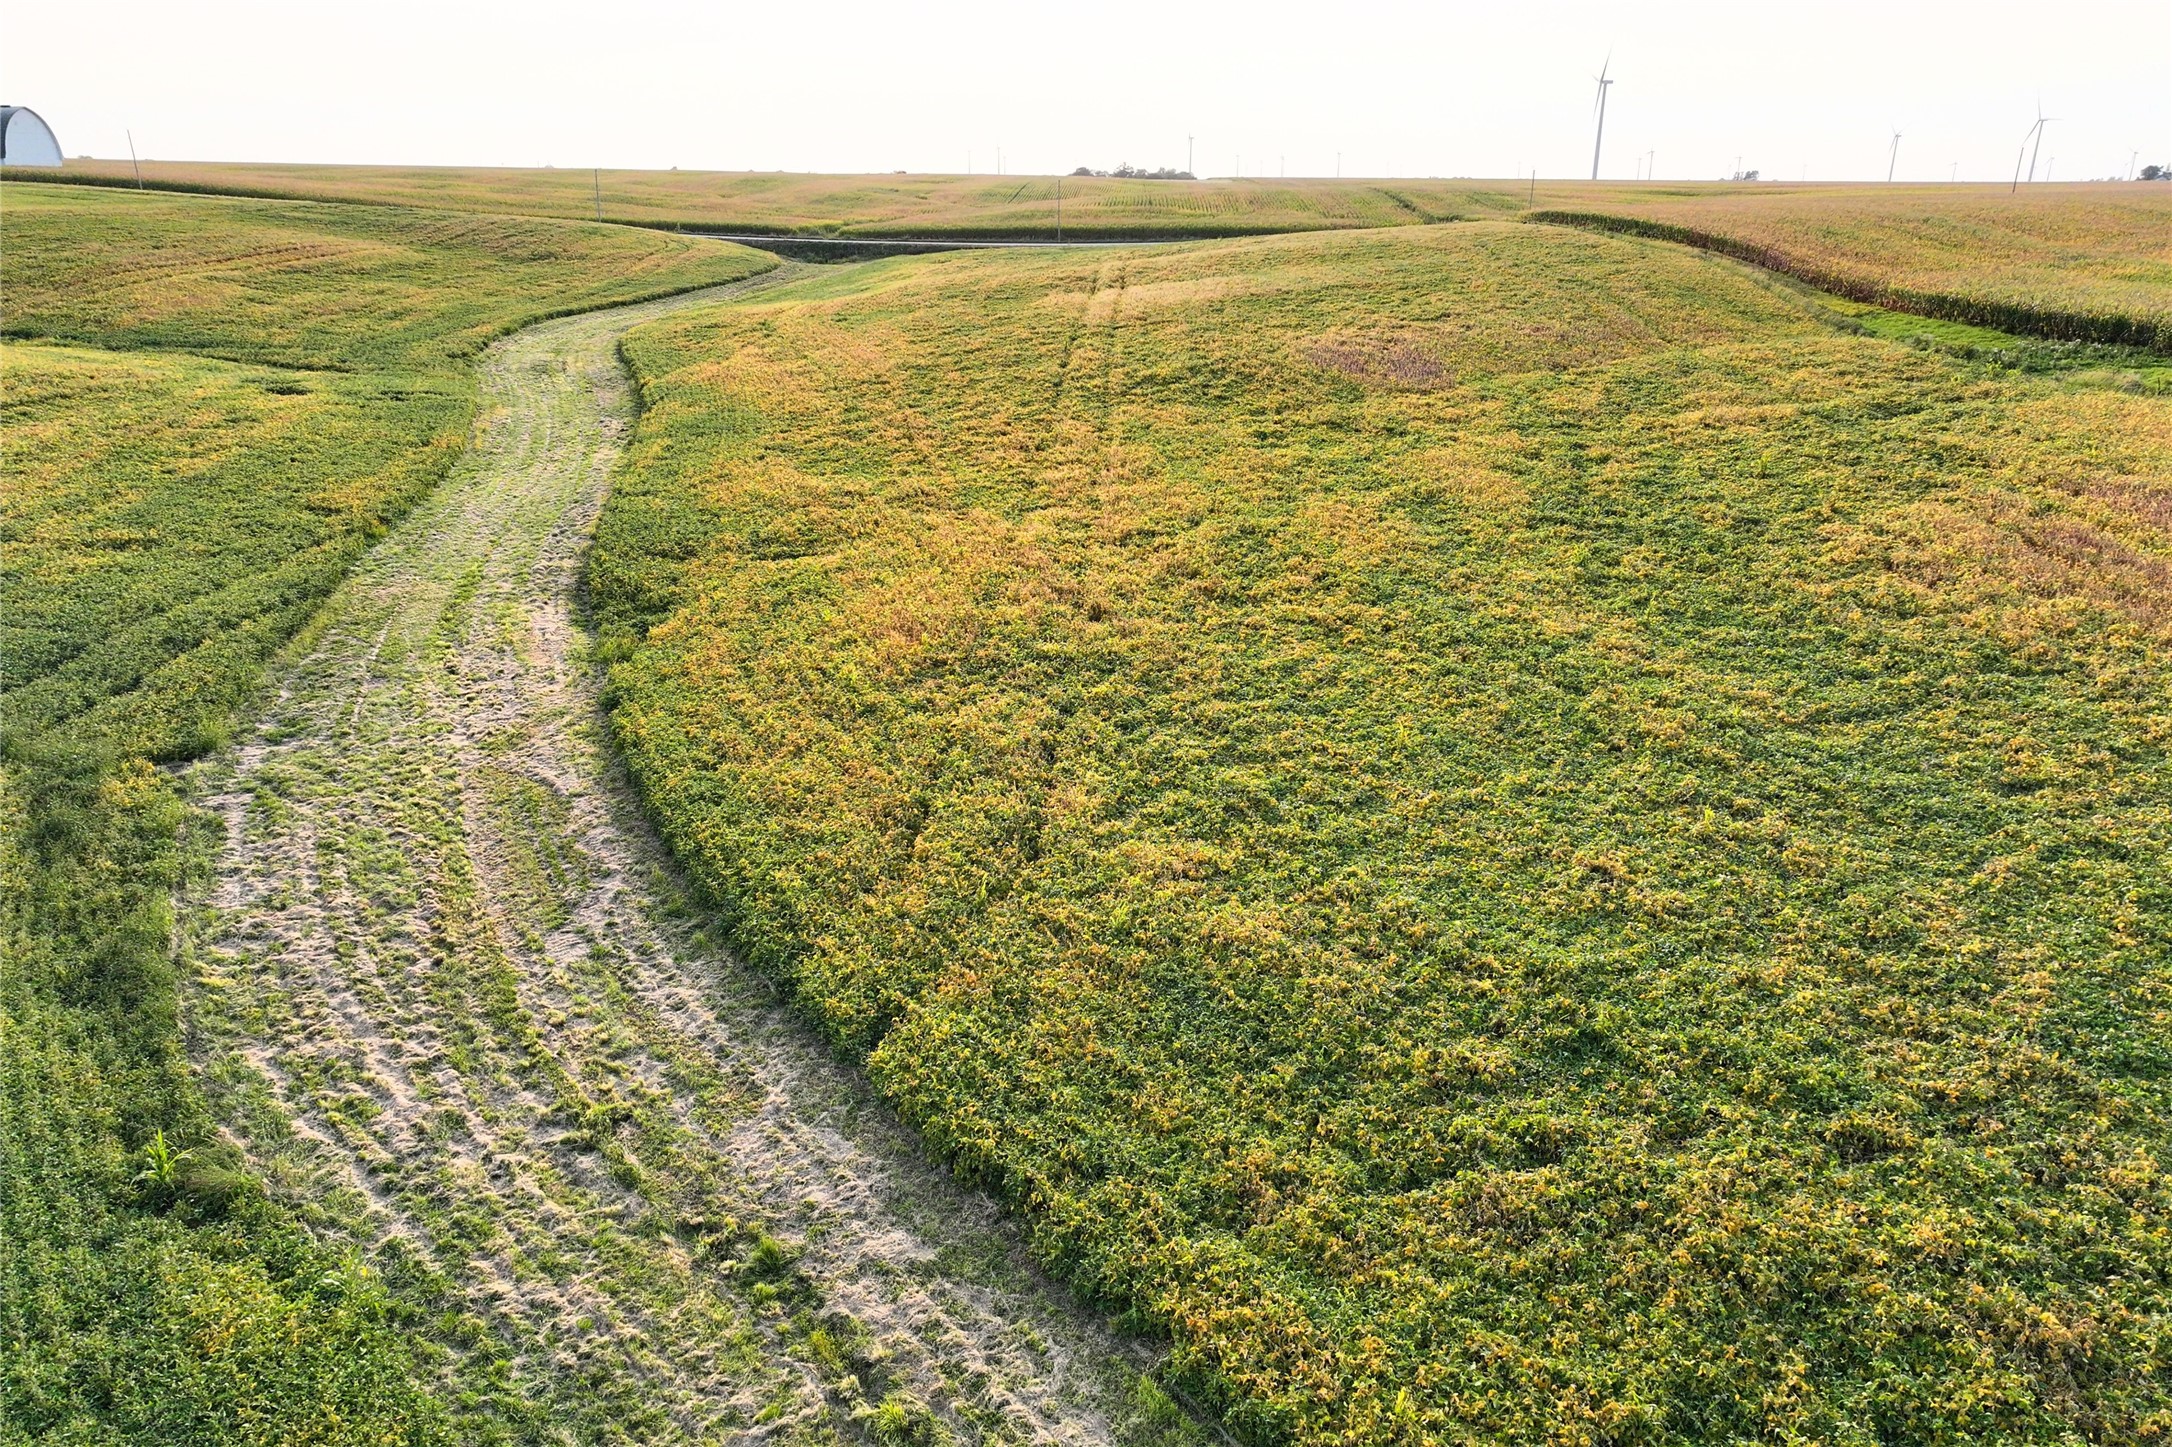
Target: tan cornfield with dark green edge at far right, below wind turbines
(2075, 262)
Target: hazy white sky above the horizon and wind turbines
(1445, 88)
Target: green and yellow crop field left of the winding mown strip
(212, 407)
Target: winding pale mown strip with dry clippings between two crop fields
(451, 1001)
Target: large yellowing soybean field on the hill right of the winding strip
(1493, 827)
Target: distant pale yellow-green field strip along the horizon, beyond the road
(857, 205)
